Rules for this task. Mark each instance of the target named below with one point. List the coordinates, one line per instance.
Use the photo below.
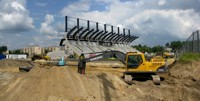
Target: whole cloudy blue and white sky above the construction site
(41, 22)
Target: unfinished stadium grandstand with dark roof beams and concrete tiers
(84, 36)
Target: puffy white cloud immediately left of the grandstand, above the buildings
(50, 32)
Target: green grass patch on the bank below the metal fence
(188, 57)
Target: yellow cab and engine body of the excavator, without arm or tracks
(136, 63)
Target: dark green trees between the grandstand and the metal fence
(174, 45)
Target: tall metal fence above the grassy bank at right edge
(192, 45)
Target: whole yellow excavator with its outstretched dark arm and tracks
(136, 65)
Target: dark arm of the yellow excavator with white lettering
(106, 54)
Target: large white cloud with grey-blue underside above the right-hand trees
(165, 25)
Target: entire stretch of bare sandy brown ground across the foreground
(102, 82)
